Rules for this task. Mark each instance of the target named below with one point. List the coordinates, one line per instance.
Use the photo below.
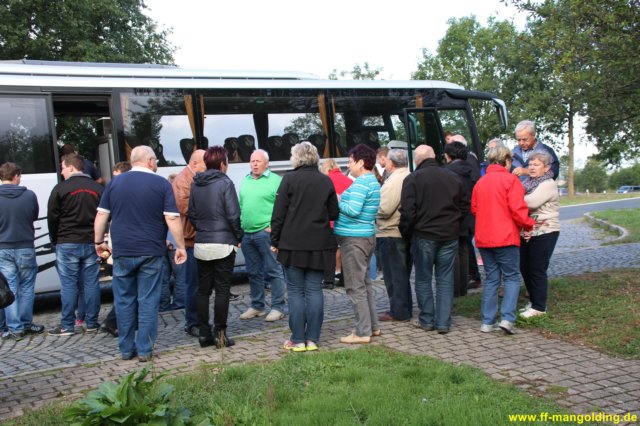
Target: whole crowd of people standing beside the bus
(313, 228)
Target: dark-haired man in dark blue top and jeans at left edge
(18, 210)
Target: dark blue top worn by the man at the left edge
(18, 210)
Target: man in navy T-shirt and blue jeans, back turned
(141, 205)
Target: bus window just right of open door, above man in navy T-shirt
(158, 119)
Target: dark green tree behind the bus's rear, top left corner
(82, 30)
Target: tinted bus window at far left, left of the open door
(25, 135)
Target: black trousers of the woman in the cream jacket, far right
(534, 262)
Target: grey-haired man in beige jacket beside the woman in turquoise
(393, 248)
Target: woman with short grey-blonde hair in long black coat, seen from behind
(305, 244)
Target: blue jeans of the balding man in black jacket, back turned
(441, 255)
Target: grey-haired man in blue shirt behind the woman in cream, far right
(525, 133)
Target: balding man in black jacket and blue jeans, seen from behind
(432, 206)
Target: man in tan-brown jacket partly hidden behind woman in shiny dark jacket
(187, 274)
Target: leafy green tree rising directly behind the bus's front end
(495, 58)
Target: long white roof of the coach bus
(30, 73)
